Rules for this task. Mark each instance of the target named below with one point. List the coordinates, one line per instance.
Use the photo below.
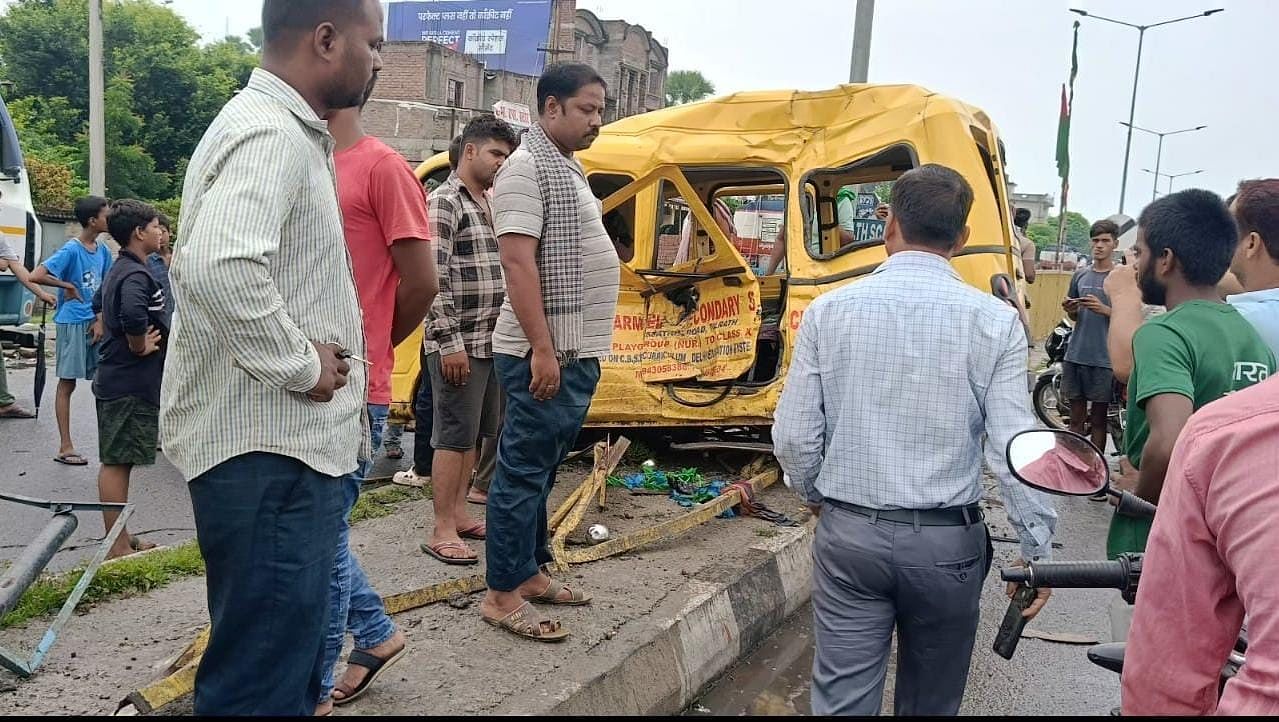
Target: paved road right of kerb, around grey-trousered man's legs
(1043, 679)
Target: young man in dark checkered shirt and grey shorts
(467, 398)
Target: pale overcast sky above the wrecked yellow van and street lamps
(1007, 57)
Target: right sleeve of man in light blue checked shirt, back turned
(1007, 410)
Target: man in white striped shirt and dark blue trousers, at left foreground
(260, 411)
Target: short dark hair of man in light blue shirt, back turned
(932, 206)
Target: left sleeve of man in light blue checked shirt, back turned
(800, 421)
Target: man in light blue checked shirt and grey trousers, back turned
(883, 427)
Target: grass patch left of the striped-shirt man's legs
(122, 578)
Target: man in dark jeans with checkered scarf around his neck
(554, 328)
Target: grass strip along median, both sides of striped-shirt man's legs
(137, 576)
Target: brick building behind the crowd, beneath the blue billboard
(427, 93)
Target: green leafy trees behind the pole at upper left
(163, 89)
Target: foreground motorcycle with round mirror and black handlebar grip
(1034, 458)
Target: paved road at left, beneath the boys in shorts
(27, 467)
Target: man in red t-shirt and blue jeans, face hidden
(388, 232)
